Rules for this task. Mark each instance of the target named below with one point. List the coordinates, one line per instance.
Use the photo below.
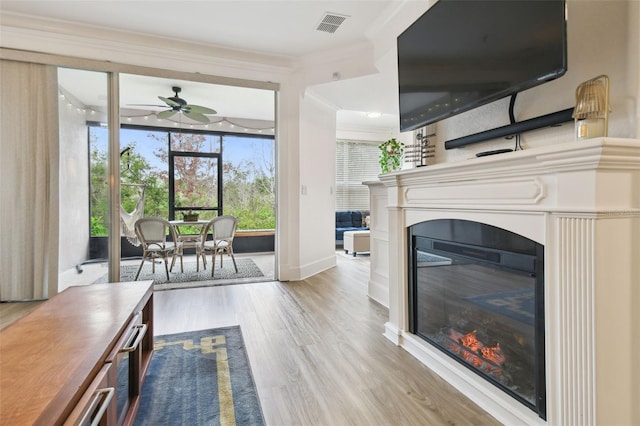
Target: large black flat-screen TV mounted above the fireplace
(461, 54)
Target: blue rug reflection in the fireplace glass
(518, 304)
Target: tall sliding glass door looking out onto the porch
(131, 158)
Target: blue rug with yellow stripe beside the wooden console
(200, 378)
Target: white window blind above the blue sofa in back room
(356, 162)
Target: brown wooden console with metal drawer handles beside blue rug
(59, 363)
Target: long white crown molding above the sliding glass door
(53, 36)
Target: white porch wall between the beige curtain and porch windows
(74, 188)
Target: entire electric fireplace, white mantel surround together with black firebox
(580, 202)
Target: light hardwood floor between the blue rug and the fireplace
(317, 351)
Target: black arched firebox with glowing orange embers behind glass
(476, 292)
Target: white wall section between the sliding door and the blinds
(306, 175)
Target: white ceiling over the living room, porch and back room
(283, 28)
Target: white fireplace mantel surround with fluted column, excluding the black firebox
(581, 200)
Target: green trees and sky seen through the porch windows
(248, 192)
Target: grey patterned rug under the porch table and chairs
(248, 272)
